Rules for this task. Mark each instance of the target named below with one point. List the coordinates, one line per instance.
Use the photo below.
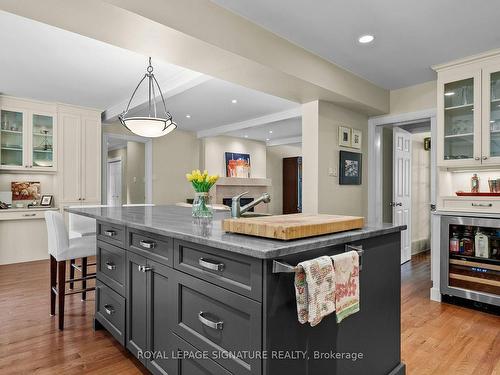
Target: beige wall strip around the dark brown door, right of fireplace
(275, 155)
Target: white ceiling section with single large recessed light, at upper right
(410, 36)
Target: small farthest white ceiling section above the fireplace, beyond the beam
(290, 128)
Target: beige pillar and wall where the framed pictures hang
(322, 193)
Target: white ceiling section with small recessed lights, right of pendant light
(210, 105)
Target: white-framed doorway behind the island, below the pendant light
(127, 169)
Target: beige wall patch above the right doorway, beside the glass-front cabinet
(414, 98)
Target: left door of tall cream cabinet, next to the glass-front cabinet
(69, 156)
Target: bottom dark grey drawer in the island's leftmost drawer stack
(110, 311)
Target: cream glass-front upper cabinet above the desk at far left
(27, 136)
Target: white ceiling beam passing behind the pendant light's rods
(177, 84)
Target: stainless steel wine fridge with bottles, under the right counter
(470, 258)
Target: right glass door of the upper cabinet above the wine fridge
(491, 114)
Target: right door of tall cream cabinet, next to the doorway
(91, 159)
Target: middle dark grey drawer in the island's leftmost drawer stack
(111, 266)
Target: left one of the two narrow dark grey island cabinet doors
(136, 331)
